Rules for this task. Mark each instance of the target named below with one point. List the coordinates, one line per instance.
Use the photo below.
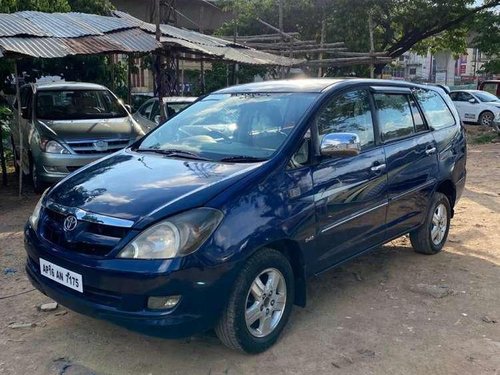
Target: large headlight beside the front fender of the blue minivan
(177, 236)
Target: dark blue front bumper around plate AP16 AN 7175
(117, 290)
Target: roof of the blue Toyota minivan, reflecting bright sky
(310, 85)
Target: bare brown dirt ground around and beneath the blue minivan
(390, 312)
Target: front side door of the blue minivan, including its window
(350, 192)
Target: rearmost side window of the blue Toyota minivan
(435, 109)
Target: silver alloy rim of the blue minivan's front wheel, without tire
(265, 303)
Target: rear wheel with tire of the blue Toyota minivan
(431, 236)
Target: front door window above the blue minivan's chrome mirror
(348, 113)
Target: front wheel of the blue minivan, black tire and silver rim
(260, 303)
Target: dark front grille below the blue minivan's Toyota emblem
(87, 238)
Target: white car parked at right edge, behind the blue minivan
(477, 106)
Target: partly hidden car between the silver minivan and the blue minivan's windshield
(148, 114)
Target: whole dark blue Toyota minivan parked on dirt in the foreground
(216, 218)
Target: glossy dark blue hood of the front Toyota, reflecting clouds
(133, 186)
